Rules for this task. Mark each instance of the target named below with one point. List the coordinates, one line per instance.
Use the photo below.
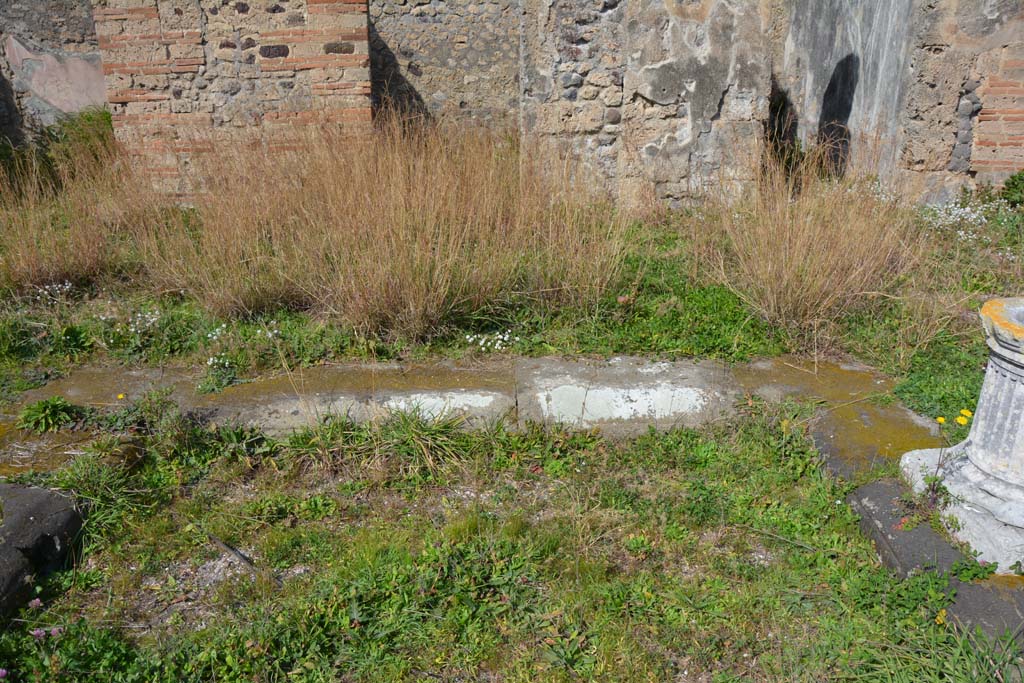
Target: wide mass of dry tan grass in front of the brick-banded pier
(398, 234)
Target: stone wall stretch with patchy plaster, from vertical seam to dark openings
(657, 95)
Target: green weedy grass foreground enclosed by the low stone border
(409, 550)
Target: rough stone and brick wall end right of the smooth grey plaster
(963, 91)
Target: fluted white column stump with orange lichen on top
(985, 475)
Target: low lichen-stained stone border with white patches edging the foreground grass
(622, 396)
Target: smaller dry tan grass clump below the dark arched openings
(804, 248)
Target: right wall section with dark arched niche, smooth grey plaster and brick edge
(931, 93)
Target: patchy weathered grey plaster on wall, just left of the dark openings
(698, 79)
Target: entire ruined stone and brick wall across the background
(668, 95)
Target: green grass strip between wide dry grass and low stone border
(662, 313)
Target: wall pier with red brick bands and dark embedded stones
(183, 75)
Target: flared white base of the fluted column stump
(989, 513)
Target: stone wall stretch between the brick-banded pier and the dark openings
(650, 94)
